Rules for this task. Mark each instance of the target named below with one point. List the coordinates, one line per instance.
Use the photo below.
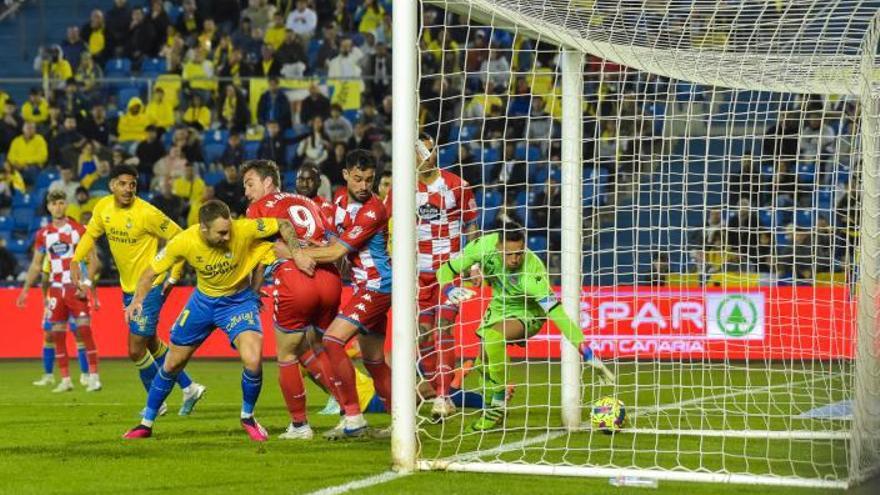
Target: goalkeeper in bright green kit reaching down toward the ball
(522, 300)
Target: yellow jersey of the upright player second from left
(133, 234)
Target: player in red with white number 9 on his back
(303, 304)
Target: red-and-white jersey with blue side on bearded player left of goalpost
(363, 229)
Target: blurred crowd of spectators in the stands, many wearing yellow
(500, 126)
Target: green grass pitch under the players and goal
(70, 443)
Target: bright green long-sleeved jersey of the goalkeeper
(523, 291)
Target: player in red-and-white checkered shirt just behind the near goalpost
(446, 211)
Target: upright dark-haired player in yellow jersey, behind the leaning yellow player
(133, 228)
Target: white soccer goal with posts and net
(700, 181)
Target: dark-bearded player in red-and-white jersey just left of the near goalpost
(361, 223)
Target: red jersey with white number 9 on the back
(309, 220)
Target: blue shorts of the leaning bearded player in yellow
(233, 314)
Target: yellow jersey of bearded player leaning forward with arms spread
(221, 271)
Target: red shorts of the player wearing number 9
(301, 301)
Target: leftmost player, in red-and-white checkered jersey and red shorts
(55, 244)
